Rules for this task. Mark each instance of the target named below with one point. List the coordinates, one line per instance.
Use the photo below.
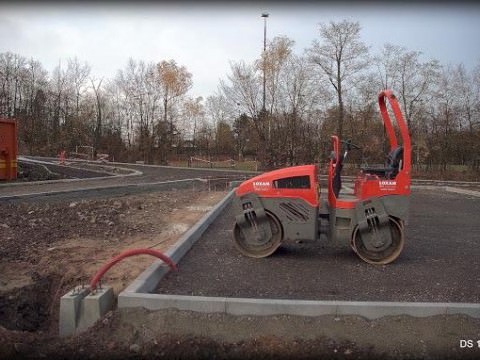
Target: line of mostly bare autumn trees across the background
(146, 113)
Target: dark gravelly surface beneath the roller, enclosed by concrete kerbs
(440, 262)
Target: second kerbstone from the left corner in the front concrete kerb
(237, 306)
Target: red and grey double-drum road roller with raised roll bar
(285, 205)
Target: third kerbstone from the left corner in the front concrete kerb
(373, 310)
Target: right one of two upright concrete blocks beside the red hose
(94, 306)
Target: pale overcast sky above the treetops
(205, 37)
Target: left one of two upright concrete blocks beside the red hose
(70, 305)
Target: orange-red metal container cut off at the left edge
(8, 149)
